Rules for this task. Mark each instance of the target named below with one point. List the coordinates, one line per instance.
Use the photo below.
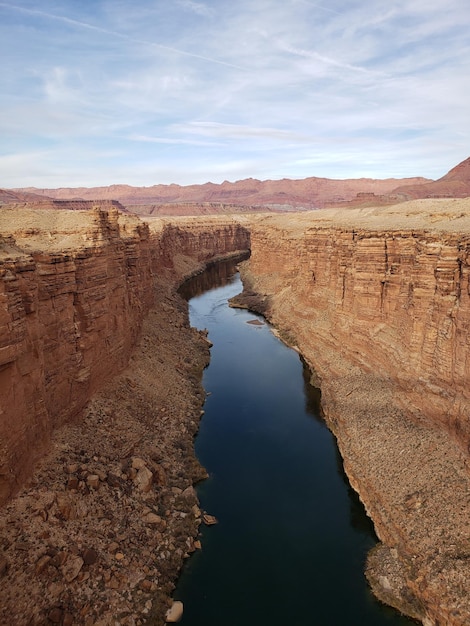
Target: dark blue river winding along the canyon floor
(292, 537)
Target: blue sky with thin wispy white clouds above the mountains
(101, 92)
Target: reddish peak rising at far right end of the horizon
(455, 184)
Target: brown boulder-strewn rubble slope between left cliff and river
(100, 533)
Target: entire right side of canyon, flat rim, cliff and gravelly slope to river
(378, 302)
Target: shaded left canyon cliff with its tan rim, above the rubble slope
(74, 290)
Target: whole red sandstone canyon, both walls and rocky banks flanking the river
(100, 379)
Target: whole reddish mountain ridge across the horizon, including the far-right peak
(251, 193)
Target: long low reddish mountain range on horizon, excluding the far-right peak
(285, 194)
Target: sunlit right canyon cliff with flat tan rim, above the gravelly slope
(394, 300)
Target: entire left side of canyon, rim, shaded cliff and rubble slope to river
(101, 398)
